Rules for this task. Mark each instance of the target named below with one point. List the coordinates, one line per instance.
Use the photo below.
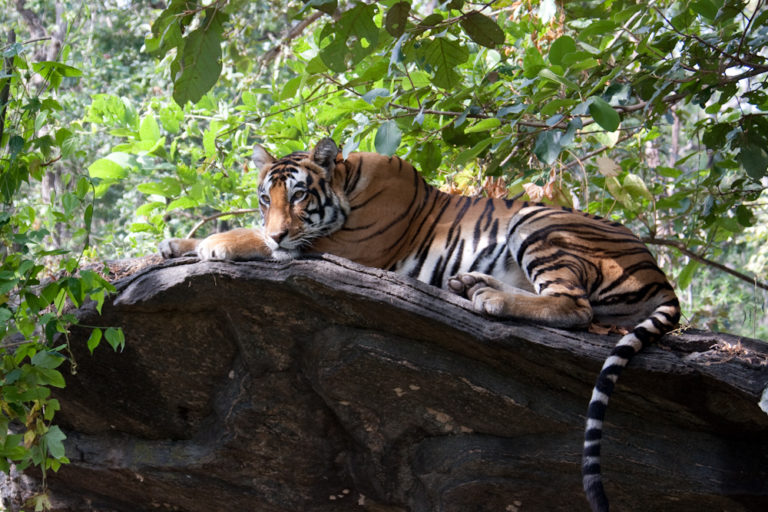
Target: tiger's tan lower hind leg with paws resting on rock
(559, 306)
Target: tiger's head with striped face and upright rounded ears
(297, 199)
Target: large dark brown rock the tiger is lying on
(319, 385)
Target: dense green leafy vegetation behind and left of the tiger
(128, 122)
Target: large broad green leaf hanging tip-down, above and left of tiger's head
(198, 64)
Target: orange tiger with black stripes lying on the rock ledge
(512, 259)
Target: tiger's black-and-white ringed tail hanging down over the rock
(662, 320)
